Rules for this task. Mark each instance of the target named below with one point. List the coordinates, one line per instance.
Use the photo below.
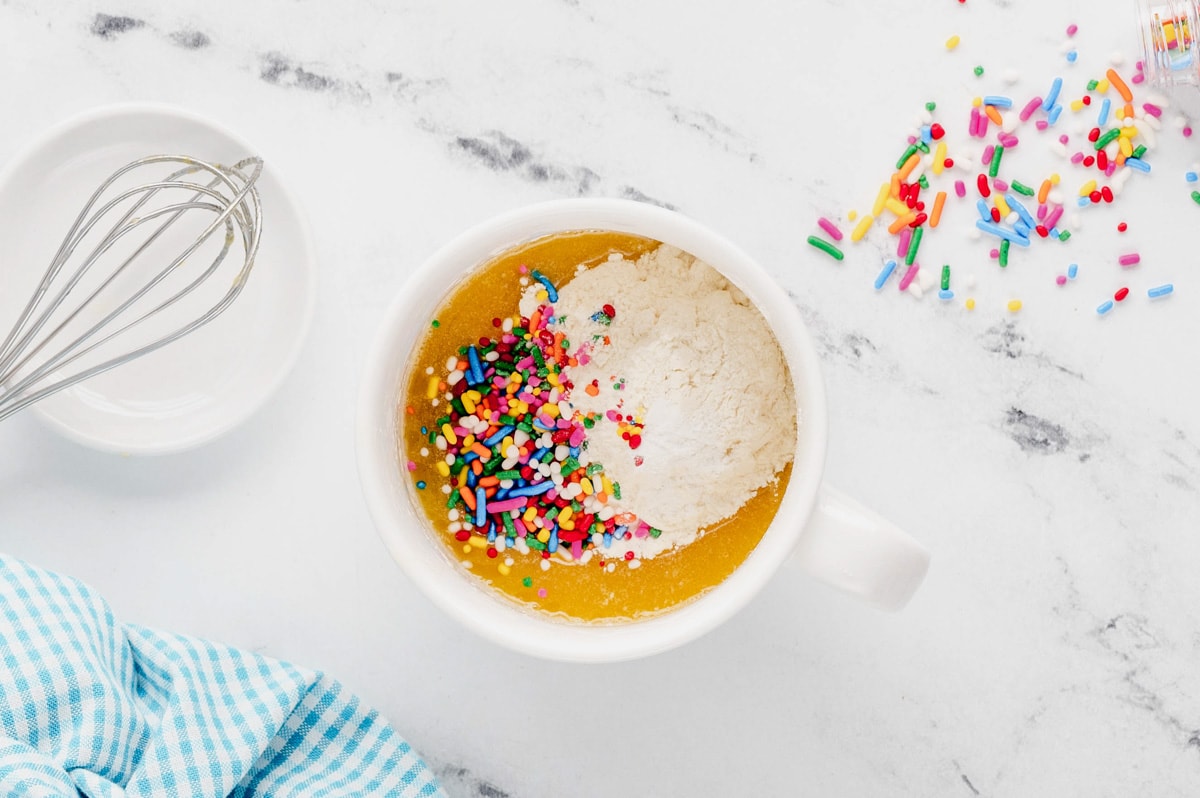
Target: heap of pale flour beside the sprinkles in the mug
(701, 371)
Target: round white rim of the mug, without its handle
(409, 535)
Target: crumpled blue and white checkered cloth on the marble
(98, 709)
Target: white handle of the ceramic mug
(856, 550)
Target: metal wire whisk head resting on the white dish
(35, 364)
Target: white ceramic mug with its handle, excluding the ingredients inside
(832, 536)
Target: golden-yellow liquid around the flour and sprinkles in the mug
(580, 592)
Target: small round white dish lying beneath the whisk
(203, 386)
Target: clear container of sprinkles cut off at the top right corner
(1172, 51)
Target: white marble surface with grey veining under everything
(1049, 459)
